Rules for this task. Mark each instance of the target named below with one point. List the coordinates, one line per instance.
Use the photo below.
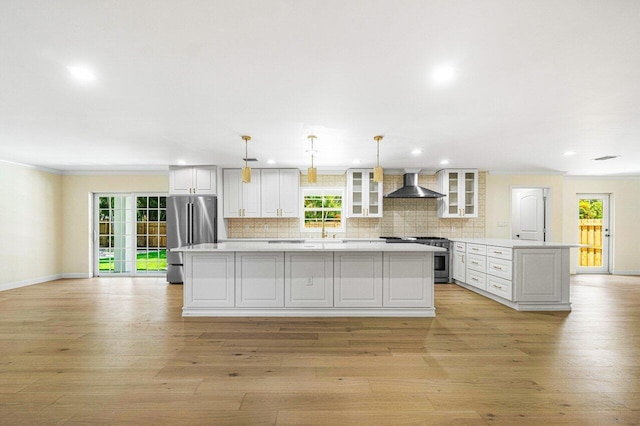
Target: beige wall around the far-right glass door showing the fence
(625, 222)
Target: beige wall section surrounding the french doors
(76, 210)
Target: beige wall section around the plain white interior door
(498, 202)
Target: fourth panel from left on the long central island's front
(357, 280)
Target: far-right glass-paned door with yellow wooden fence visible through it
(594, 233)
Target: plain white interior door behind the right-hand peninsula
(528, 214)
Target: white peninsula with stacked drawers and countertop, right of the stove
(524, 275)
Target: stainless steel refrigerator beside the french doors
(190, 220)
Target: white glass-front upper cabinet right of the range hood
(461, 189)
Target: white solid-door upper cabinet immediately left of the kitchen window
(280, 189)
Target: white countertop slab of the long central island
(277, 246)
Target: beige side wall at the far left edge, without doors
(30, 225)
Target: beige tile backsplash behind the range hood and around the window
(401, 217)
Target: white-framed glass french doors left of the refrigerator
(130, 234)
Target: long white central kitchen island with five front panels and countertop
(308, 279)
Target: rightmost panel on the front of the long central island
(407, 280)
